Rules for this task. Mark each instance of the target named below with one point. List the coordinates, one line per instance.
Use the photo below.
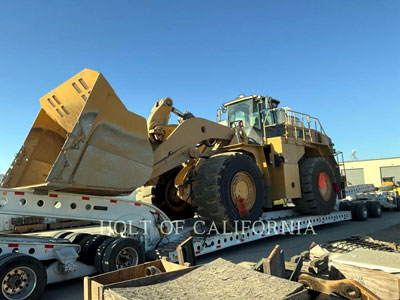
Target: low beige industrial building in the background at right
(371, 170)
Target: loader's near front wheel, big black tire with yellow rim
(221, 178)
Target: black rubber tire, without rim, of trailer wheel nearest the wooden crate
(114, 248)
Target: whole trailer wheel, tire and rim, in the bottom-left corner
(22, 277)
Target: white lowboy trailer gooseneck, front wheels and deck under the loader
(28, 263)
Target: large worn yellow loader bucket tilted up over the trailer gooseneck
(84, 140)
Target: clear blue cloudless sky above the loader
(336, 60)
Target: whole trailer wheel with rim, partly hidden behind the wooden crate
(122, 253)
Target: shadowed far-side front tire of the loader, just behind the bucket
(165, 188)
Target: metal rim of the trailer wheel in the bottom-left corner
(19, 283)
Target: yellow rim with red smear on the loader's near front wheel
(243, 192)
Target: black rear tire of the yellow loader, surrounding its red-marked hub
(311, 201)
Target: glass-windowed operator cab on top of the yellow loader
(249, 112)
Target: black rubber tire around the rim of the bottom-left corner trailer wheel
(9, 262)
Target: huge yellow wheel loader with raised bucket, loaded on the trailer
(84, 140)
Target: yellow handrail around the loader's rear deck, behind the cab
(295, 119)
